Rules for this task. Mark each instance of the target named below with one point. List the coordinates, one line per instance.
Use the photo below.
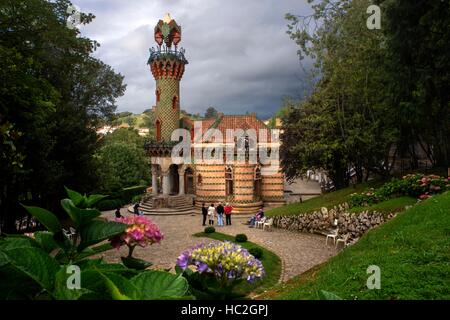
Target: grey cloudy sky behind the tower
(240, 57)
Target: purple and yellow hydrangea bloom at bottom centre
(218, 268)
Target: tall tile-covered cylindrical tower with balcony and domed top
(167, 66)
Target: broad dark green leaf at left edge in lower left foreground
(35, 263)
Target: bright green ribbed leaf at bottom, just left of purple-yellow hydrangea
(160, 285)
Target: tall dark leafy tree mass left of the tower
(53, 94)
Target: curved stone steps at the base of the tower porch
(172, 205)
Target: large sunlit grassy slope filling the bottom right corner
(412, 251)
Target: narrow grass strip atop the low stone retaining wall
(326, 200)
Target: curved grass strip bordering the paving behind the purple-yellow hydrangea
(270, 261)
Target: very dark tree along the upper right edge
(418, 41)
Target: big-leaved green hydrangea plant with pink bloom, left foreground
(41, 265)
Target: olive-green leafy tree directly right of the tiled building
(346, 122)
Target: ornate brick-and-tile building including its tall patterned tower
(245, 184)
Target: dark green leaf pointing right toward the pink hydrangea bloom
(99, 230)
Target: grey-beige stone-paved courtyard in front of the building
(298, 252)
